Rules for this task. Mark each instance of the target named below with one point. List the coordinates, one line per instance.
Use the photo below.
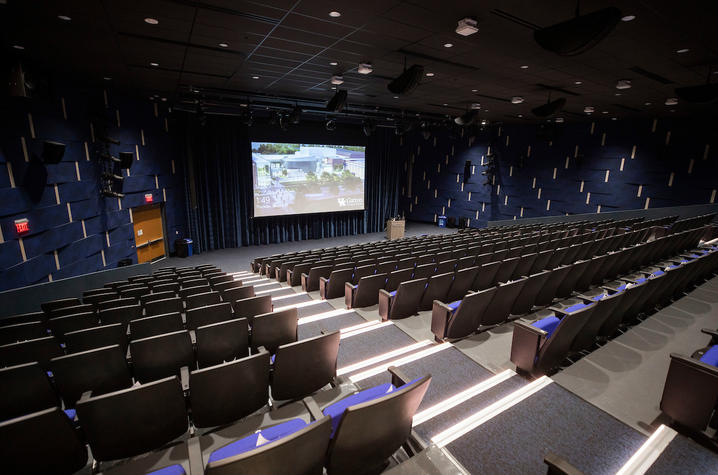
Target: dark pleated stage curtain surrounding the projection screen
(218, 182)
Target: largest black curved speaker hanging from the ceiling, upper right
(578, 34)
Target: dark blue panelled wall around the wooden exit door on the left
(73, 229)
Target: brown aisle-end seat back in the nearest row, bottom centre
(370, 432)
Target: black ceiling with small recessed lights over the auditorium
(289, 45)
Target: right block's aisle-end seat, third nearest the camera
(461, 318)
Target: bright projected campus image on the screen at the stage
(291, 178)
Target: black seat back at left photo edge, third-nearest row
(25, 389)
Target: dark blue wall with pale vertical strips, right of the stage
(650, 163)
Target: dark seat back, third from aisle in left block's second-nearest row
(133, 421)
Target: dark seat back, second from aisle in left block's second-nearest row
(229, 391)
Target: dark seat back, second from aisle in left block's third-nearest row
(223, 341)
